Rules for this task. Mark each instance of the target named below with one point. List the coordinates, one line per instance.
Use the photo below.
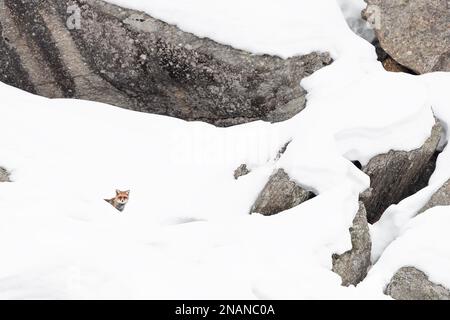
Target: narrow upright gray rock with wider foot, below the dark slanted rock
(353, 265)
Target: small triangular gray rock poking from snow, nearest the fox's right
(280, 194)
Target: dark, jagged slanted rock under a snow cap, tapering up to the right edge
(397, 175)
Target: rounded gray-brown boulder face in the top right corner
(415, 33)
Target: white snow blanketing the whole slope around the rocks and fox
(186, 232)
